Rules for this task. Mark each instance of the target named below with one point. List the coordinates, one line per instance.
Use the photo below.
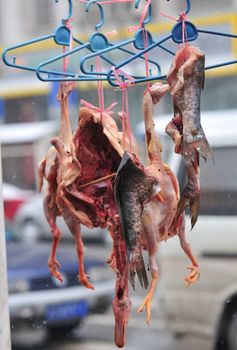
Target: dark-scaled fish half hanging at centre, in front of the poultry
(133, 188)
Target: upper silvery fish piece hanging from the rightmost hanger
(186, 80)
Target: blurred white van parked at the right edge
(209, 307)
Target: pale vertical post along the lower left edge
(5, 339)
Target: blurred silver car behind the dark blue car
(31, 220)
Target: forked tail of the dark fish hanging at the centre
(137, 266)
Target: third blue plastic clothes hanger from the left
(137, 41)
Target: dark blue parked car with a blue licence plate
(37, 299)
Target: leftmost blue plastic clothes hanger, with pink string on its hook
(61, 36)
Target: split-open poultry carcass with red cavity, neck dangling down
(86, 197)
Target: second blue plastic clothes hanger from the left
(97, 43)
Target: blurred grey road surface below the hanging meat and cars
(97, 334)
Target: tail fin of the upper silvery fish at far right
(199, 144)
